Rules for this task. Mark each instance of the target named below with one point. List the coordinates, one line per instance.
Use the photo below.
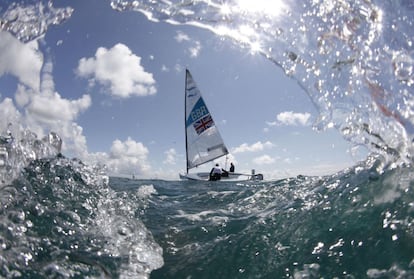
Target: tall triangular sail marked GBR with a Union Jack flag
(203, 140)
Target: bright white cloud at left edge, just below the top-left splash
(24, 61)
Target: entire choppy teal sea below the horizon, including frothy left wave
(63, 219)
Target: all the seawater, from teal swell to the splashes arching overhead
(61, 218)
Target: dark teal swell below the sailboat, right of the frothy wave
(354, 224)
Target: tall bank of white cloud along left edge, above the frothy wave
(37, 105)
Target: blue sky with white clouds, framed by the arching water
(112, 85)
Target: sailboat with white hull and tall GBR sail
(203, 141)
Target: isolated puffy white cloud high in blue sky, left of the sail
(120, 70)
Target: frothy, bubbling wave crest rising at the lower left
(60, 219)
